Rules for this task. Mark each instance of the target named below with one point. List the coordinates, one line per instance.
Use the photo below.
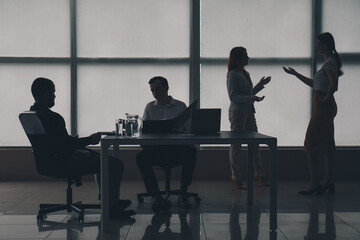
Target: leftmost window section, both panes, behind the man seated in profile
(34, 43)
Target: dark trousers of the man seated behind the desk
(166, 156)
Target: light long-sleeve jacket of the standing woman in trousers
(241, 91)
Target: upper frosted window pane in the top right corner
(342, 19)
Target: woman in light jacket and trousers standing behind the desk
(242, 96)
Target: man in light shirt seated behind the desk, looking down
(162, 108)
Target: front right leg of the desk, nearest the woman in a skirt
(273, 187)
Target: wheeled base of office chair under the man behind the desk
(167, 192)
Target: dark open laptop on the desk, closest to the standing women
(206, 121)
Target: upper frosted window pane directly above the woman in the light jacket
(266, 28)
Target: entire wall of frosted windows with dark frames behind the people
(101, 54)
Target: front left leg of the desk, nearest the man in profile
(105, 208)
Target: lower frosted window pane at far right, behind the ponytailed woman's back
(347, 131)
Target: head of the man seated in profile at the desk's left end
(43, 91)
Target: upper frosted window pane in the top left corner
(35, 28)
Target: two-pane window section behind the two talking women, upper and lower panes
(281, 34)
